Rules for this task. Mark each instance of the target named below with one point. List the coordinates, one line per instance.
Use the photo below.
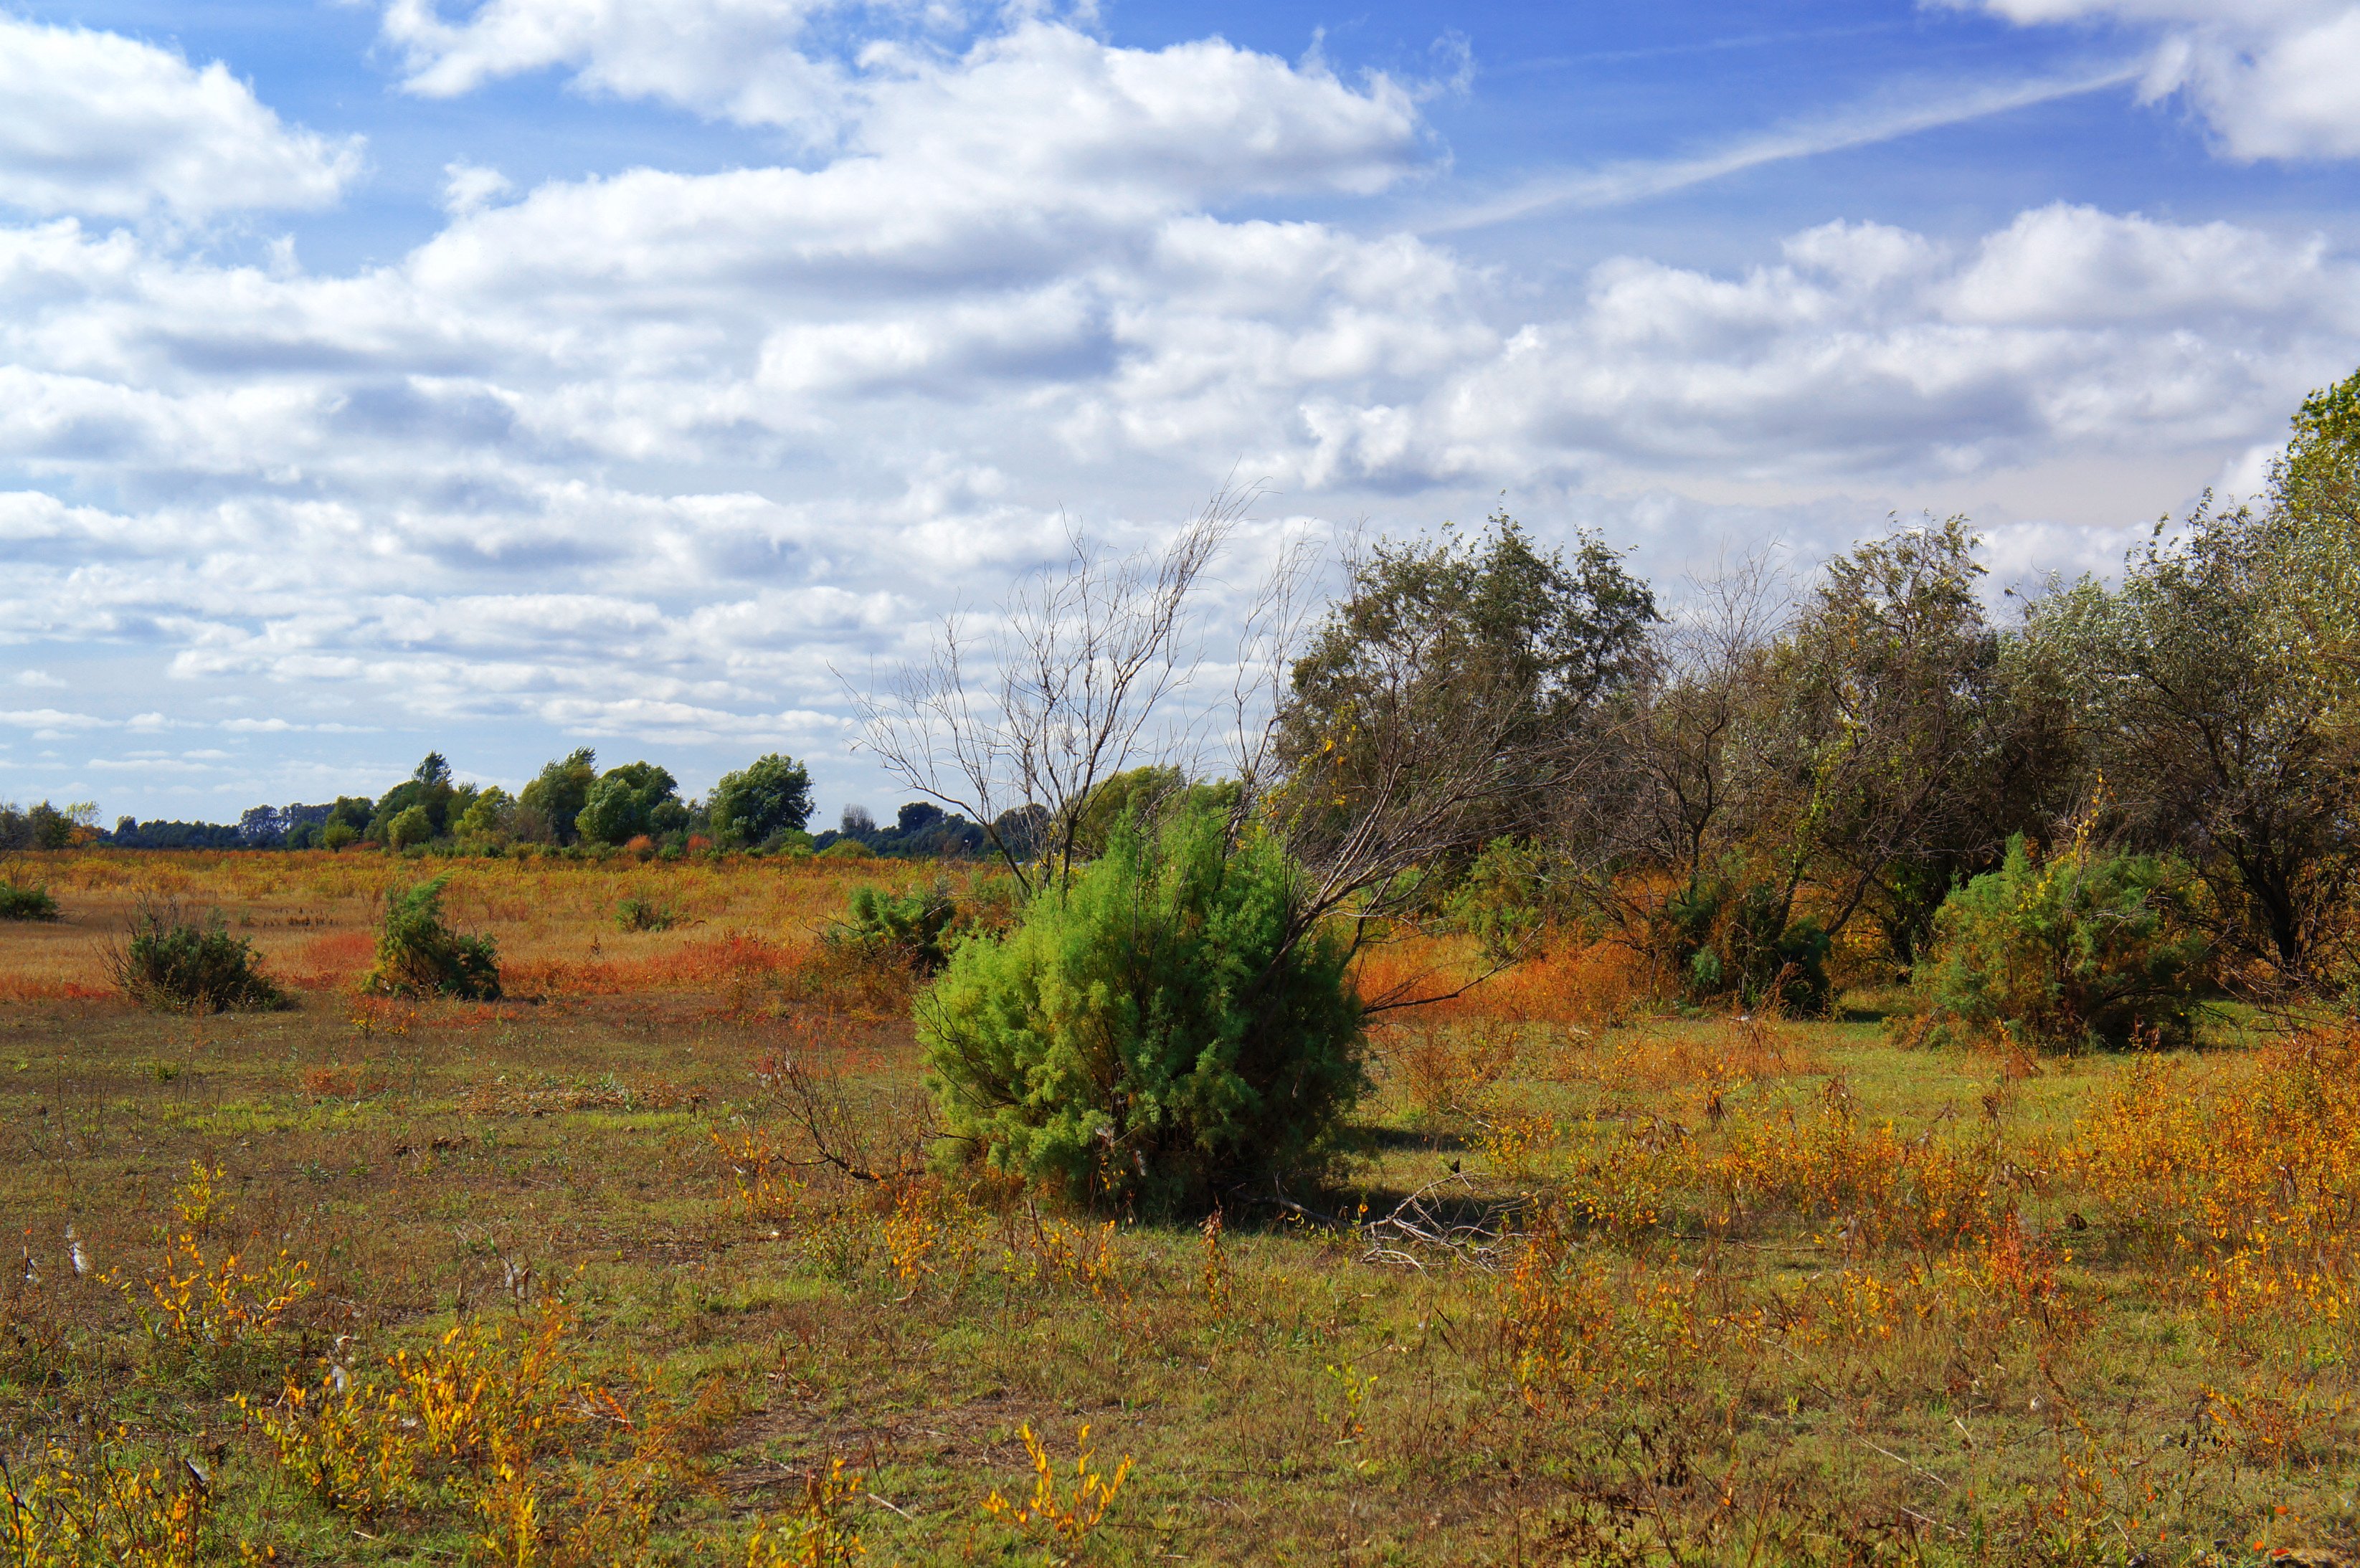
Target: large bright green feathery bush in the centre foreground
(1153, 1034)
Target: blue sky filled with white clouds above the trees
(509, 376)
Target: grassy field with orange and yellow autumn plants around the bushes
(551, 1282)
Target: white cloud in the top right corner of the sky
(2274, 79)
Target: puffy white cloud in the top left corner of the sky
(107, 126)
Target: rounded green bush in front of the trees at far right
(2076, 951)
